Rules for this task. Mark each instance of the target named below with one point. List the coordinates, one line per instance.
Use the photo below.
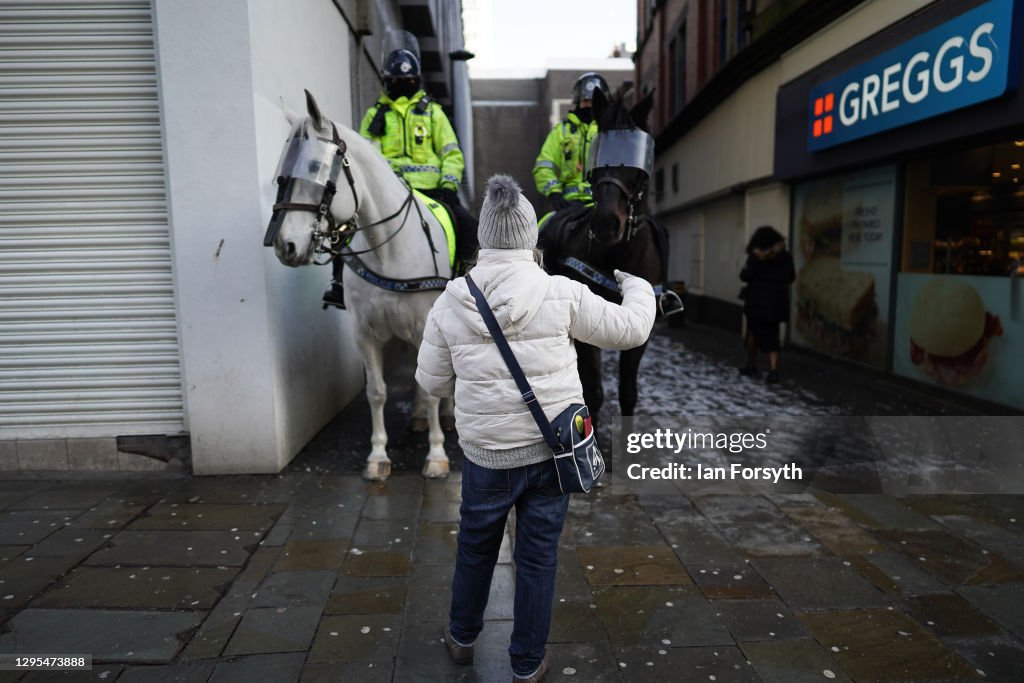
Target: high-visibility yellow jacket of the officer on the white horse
(416, 137)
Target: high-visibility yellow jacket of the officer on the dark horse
(563, 161)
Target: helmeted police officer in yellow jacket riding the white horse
(415, 136)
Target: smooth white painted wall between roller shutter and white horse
(265, 368)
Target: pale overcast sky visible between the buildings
(529, 34)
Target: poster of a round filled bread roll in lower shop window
(963, 333)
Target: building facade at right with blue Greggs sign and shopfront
(885, 140)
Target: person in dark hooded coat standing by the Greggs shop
(769, 275)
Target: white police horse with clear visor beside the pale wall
(338, 195)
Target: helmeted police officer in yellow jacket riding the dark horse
(561, 168)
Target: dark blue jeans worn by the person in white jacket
(541, 507)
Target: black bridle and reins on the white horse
(336, 239)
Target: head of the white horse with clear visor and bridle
(315, 188)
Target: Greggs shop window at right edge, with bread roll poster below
(960, 320)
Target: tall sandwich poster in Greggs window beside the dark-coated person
(843, 229)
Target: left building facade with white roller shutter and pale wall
(143, 321)
